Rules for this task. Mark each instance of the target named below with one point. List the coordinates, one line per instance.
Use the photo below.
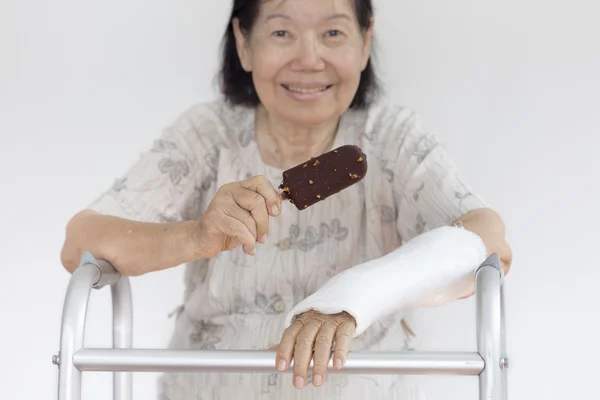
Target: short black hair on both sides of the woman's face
(236, 84)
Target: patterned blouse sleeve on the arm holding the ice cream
(167, 181)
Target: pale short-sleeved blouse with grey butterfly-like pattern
(234, 301)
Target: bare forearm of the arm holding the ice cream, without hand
(133, 248)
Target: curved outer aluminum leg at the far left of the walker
(73, 328)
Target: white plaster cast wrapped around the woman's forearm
(429, 270)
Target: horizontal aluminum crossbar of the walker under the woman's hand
(238, 361)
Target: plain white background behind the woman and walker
(512, 87)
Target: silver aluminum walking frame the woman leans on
(489, 363)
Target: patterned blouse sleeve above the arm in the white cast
(429, 190)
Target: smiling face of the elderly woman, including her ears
(306, 57)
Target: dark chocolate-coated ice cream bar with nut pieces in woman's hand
(320, 177)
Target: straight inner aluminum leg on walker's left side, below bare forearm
(122, 334)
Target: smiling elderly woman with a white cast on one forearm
(297, 81)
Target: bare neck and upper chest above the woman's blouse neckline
(285, 145)
